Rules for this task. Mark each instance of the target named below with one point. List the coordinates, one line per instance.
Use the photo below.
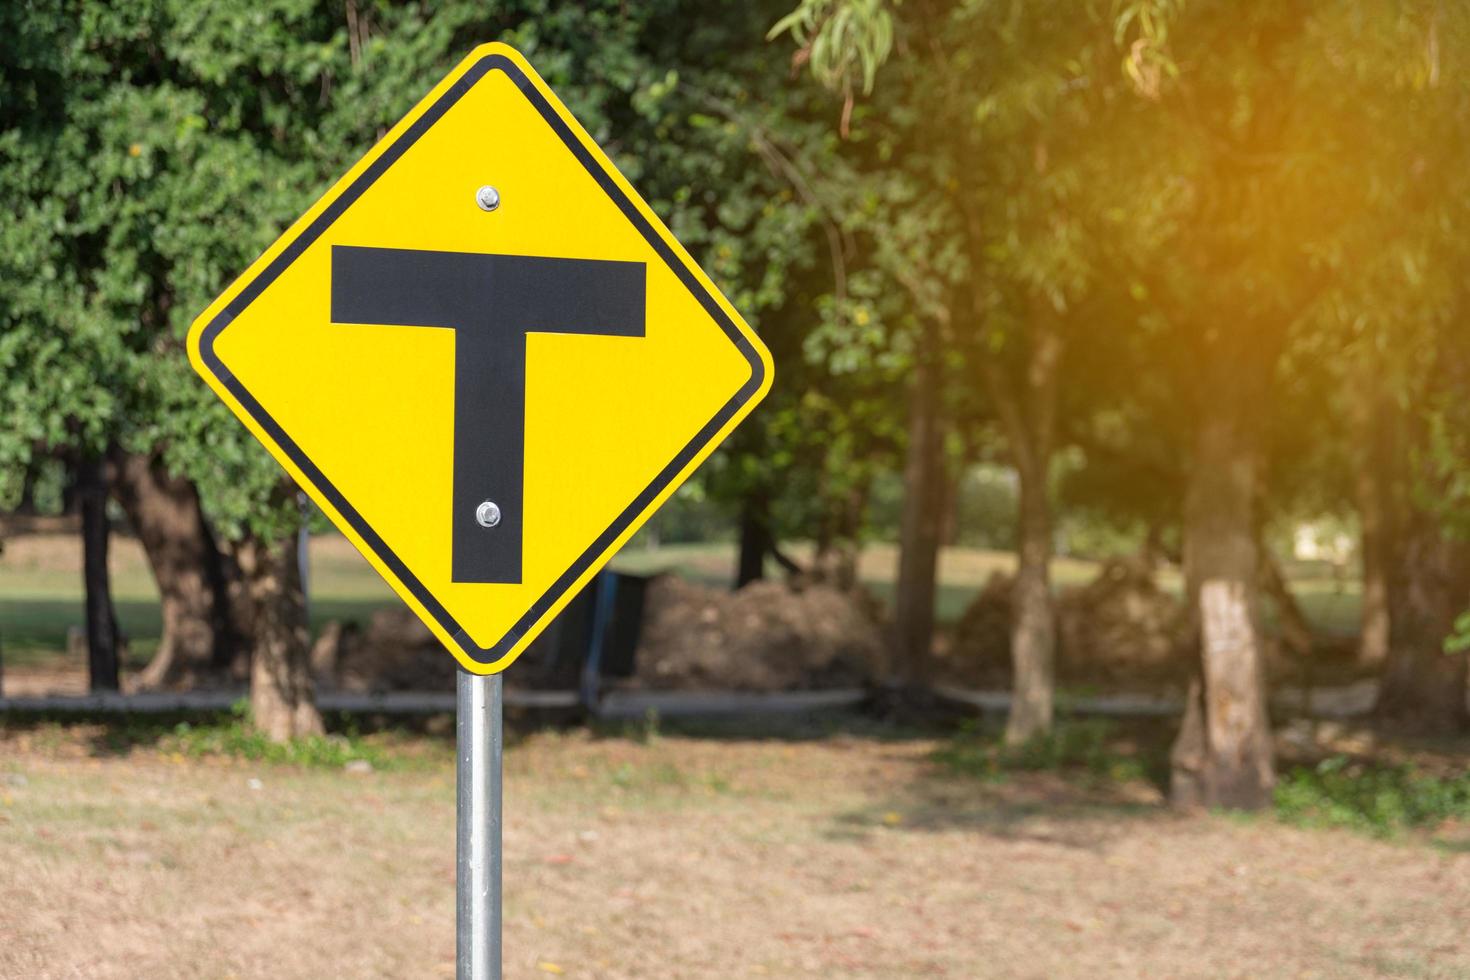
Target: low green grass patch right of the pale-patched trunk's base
(1378, 800)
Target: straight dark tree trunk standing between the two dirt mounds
(922, 515)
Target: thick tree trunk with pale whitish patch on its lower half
(1224, 753)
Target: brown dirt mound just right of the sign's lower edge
(767, 637)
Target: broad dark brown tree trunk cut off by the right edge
(1424, 688)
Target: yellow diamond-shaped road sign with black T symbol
(484, 358)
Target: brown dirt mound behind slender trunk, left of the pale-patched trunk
(1121, 628)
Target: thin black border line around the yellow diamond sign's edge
(602, 546)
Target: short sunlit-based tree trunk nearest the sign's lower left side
(282, 696)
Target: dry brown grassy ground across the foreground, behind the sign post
(687, 857)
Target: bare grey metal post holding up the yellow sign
(477, 863)
